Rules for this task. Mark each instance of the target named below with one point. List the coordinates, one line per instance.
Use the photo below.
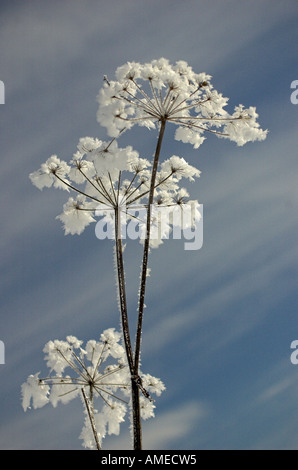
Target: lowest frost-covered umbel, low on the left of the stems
(97, 372)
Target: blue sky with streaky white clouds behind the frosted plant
(219, 321)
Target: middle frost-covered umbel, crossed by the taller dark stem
(106, 178)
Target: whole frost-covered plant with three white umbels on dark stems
(112, 182)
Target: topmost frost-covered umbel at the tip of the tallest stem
(146, 94)
